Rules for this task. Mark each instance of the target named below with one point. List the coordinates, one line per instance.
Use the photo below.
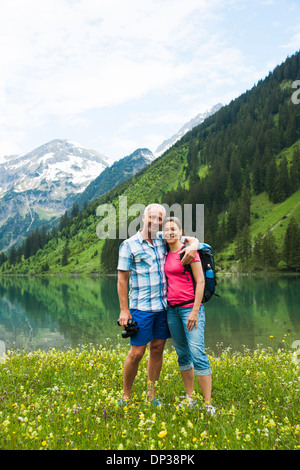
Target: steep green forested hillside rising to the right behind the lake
(242, 163)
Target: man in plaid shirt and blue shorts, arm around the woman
(141, 260)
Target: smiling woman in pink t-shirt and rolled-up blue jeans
(186, 322)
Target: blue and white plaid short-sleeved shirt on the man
(147, 280)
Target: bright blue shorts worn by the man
(152, 325)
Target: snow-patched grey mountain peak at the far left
(38, 187)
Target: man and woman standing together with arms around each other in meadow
(151, 261)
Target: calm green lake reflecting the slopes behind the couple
(59, 312)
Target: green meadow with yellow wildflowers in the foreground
(69, 400)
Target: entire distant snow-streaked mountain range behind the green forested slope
(37, 188)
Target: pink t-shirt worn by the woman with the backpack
(180, 288)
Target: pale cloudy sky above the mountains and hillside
(116, 75)
